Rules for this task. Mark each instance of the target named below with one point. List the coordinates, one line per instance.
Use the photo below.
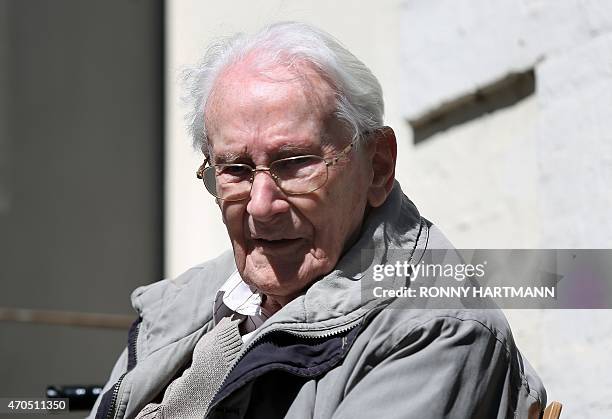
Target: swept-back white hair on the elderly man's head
(359, 101)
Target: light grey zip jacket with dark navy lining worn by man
(334, 352)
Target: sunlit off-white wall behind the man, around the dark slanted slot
(535, 174)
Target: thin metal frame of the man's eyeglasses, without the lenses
(329, 161)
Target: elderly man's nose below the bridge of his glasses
(267, 199)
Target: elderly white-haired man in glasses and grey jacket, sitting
(298, 159)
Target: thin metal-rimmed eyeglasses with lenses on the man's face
(294, 175)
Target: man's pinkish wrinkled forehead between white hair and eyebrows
(251, 99)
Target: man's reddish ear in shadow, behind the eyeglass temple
(383, 158)
